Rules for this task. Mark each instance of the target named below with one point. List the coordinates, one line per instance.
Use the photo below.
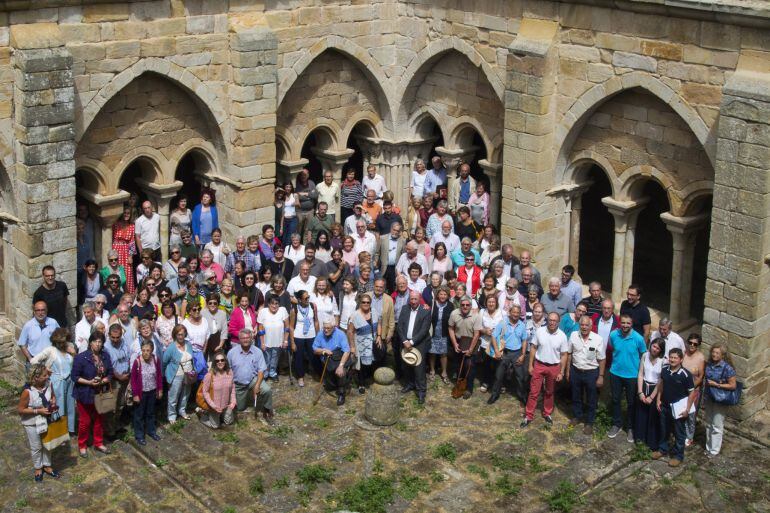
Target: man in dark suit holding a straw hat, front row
(414, 331)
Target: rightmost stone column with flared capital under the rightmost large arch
(683, 232)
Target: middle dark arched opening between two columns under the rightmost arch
(653, 249)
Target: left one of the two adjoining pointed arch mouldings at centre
(357, 54)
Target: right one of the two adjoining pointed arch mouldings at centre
(431, 54)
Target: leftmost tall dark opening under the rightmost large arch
(597, 231)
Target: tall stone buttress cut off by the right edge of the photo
(737, 308)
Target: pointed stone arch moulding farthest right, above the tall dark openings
(573, 121)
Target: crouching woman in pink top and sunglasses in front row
(219, 394)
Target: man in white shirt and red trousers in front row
(546, 363)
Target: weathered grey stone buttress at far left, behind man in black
(44, 174)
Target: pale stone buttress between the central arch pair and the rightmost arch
(528, 217)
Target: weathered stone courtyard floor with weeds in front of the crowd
(498, 466)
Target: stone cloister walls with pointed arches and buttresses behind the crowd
(632, 141)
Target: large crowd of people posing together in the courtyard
(342, 283)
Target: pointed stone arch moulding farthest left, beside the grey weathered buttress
(205, 99)
